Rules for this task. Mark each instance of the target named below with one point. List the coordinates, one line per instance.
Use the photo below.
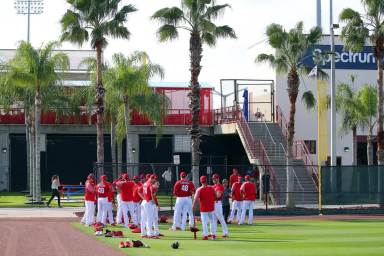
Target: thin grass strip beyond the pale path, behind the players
(18, 200)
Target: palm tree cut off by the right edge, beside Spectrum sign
(362, 27)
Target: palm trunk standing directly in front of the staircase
(293, 90)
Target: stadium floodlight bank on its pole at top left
(29, 7)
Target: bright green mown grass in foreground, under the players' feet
(267, 237)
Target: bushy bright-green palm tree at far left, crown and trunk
(36, 69)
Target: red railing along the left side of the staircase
(258, 151)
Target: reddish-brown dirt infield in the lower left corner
(46, 237)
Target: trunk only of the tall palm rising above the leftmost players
(100, 91)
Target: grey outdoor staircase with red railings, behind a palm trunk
(266, 146)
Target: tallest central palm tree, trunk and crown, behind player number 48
(196, 17)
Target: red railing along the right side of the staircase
(300, 150)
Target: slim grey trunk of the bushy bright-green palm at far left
(37, 144)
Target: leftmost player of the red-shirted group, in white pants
(90, 198)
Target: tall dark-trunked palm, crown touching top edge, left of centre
(96, 20)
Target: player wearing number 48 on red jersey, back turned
(183, 190)
